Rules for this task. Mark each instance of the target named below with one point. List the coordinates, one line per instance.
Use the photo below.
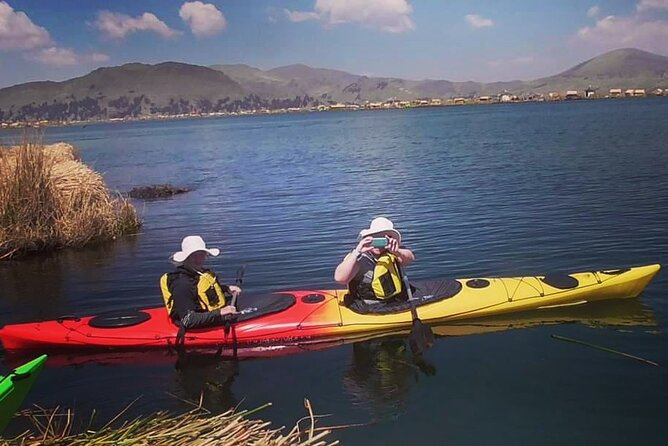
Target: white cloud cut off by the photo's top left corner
(17, 31)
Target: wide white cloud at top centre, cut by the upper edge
(386, 15)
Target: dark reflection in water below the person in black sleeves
(209, 377)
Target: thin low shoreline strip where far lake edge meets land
(393, 105)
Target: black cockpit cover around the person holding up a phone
(424, 292)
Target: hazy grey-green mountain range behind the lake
(170, 88)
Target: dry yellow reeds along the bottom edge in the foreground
(195, 428)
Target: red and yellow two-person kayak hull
(321, 316)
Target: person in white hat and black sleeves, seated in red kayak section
(193, 296)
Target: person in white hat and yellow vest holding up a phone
(372, 270)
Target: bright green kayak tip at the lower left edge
(15, 386)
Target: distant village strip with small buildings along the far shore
(392, 103)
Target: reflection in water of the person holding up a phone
(381, 375)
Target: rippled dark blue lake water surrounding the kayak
(476, 191)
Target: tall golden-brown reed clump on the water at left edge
(50, 200)
